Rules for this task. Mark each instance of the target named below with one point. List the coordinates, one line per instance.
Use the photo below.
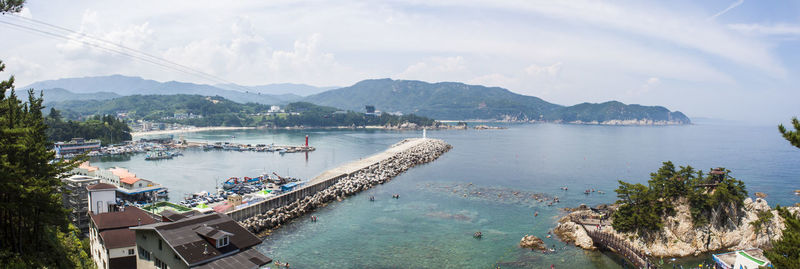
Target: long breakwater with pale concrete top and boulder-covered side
(340, 182)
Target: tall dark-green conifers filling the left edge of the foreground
(34, 230)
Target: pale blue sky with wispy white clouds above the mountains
(726, 59)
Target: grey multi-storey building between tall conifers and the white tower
(75, 197)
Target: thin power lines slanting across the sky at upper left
(103, 44)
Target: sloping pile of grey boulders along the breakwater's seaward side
(360, 180)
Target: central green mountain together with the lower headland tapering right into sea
(459, 101)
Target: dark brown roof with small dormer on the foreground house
(183, 237)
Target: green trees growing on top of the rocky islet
(642, 207)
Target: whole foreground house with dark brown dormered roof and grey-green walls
(200, 241)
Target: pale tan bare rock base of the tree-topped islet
(679, 237)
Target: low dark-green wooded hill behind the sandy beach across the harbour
(218, 111)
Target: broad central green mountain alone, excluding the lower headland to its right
(444, 100)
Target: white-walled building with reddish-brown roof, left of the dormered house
(112, 243)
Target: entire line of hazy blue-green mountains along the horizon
(443, 100)
